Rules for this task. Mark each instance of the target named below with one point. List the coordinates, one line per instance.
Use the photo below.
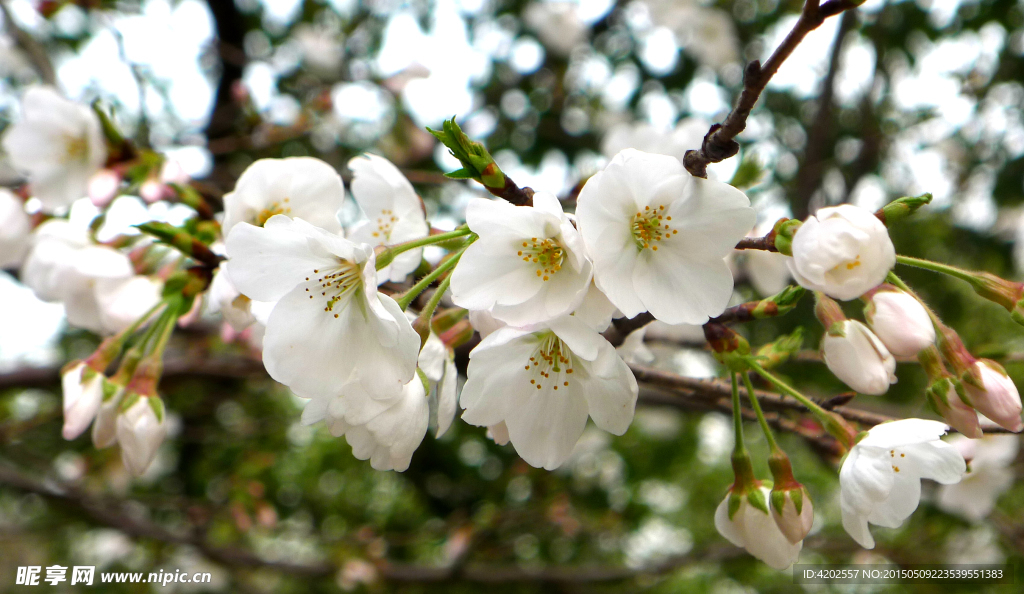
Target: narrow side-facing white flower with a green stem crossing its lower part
(394, 211)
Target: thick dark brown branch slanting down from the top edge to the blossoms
(720, 142)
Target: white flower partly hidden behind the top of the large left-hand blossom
(298, 187)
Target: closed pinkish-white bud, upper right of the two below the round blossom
(901, 322)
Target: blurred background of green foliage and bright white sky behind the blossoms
(893, 99)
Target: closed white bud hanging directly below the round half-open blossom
(859, 358)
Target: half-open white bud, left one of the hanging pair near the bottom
(756, 531)
